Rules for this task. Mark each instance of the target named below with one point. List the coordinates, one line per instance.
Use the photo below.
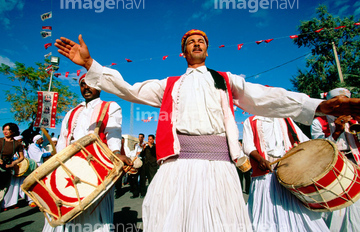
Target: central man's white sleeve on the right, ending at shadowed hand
(272, 102)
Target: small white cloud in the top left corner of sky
(7, 6)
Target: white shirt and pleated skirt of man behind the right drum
(271, 207)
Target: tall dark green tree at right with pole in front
(321, 73)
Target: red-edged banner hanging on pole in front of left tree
(47, 103)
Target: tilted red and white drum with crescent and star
(72, 180)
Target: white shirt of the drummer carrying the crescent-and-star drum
(112, 131)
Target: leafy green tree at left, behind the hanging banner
(23, 97)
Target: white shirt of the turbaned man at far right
(317, 133)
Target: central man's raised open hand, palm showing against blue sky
(77, 53)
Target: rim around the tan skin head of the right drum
(326, 170)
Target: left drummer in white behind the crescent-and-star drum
(99, 216)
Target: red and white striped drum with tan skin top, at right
(320, 176)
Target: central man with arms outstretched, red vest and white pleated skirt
(202, 193)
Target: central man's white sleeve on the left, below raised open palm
(149, 92)
